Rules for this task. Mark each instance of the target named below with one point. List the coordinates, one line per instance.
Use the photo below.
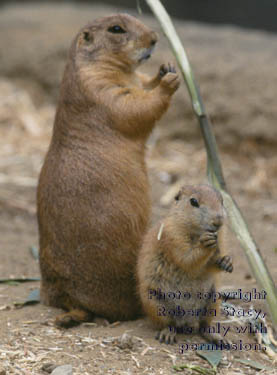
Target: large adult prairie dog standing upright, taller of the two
(93, 194)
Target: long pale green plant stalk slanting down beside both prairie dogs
(214, 169)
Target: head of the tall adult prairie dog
(119, 36)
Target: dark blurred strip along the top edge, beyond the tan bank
(256, 14)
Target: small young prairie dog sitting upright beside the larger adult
(183, 254)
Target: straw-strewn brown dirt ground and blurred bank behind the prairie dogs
(236, 70)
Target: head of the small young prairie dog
(199, 208)
